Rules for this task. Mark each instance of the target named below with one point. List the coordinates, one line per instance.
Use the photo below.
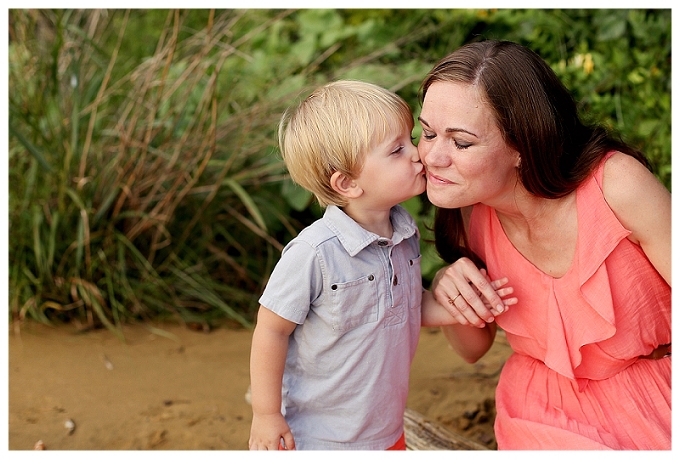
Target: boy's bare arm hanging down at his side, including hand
(267, 361)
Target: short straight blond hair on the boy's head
(333, 129)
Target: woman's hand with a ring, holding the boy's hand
(469, 295)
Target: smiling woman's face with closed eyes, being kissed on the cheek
(462, 149)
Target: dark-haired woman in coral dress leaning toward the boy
(581, 228)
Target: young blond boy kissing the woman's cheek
(340, 318)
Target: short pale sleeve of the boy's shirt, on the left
(295, 283)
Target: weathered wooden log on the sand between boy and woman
(423, 434)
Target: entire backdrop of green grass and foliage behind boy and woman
(144, 175)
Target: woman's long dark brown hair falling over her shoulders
(536, 116)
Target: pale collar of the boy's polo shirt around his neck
(354, 238)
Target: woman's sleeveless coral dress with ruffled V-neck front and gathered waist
(575, 379)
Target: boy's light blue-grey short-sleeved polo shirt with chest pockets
(357, 299)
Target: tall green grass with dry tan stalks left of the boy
(145, 194)
